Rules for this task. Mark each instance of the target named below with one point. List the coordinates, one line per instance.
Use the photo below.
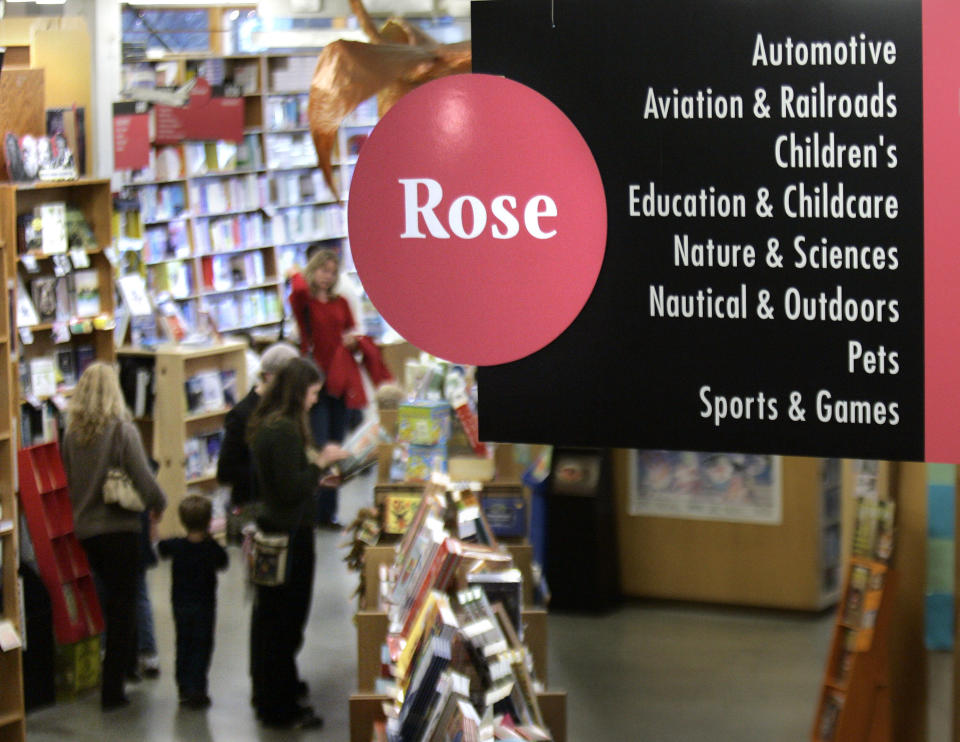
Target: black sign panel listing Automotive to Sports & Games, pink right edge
(779, 268)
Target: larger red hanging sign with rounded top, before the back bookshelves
(204, 117)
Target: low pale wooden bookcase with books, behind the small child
(182, 423)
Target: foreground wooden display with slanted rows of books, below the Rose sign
(451, 645)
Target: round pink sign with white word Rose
(477, 219)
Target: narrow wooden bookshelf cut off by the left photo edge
(12, 723)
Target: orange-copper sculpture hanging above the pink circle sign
(398, 58)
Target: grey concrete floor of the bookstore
(648, 671)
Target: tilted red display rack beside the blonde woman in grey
(60, 557)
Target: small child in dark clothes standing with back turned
(196, 560)
